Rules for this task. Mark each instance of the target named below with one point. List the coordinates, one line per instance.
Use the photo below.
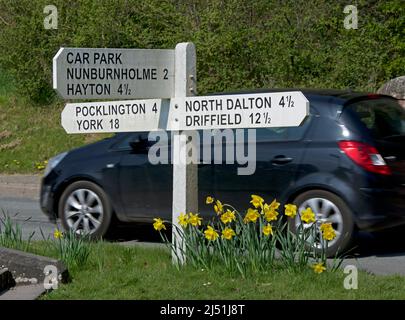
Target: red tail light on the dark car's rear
(365, 156)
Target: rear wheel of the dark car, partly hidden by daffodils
(328, 208)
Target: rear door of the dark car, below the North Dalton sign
(277, 158)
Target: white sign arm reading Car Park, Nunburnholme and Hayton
(106, 73)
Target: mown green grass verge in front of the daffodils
(117, 272)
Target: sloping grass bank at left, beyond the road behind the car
(31, 134)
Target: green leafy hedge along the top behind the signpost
(240, 43)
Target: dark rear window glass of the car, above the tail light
(383, 117)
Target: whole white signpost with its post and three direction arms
(81, 73)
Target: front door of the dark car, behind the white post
(147, 189)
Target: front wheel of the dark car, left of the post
(84, 208)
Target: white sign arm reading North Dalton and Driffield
(275, 109)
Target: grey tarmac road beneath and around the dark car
(382, 253)
